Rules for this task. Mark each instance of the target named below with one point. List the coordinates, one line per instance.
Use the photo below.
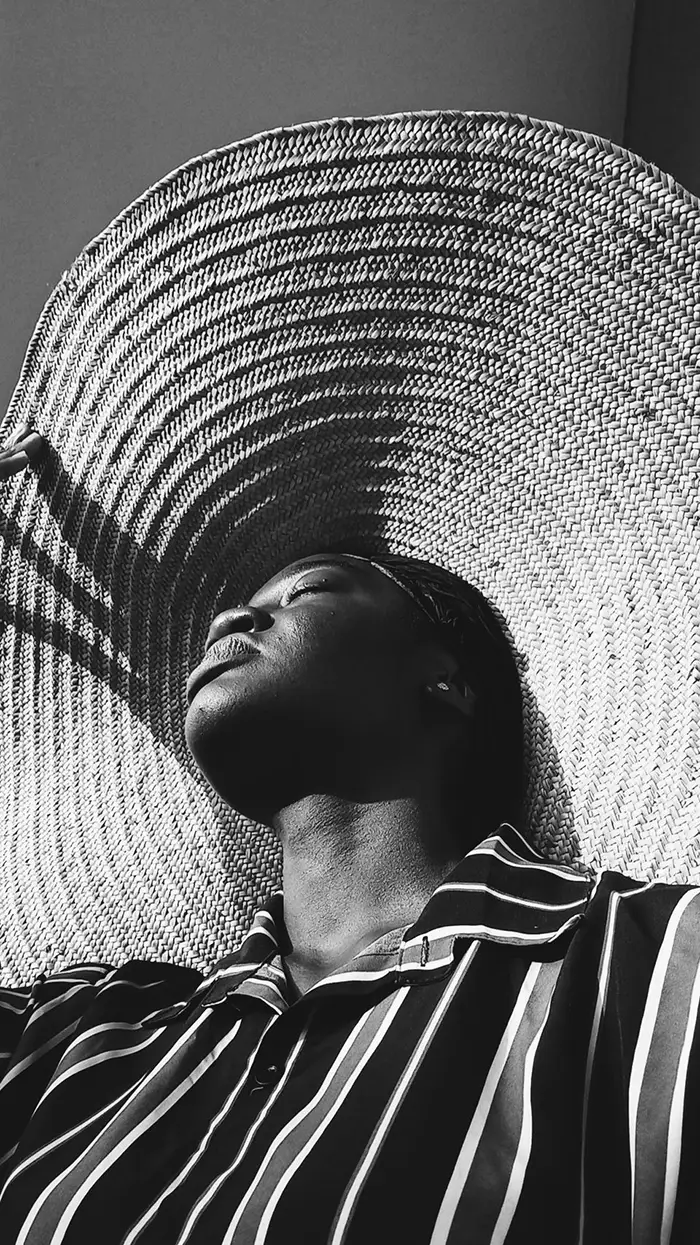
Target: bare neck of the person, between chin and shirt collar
(353, 872)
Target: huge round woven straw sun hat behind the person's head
(466, 338)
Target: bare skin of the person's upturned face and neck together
(333, 733)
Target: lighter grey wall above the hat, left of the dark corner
(99, 99)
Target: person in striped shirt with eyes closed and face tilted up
(430, 1034)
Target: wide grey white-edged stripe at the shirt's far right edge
(658, 1071)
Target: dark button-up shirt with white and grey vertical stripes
(520, 1065)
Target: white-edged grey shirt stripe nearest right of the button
(296, 1141)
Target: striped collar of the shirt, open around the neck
(501, 892)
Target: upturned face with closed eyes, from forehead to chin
(311, 688)
